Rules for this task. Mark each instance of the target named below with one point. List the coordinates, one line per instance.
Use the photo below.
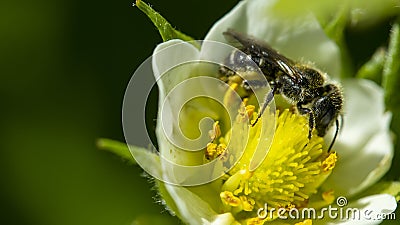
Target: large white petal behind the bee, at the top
(301, 38)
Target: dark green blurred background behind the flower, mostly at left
(64, 69)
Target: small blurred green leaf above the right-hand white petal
(373, 69)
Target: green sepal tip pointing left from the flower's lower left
(118, 148)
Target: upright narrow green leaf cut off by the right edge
(391, 71)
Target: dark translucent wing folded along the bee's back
(258, 48)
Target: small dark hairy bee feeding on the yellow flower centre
(300, 84)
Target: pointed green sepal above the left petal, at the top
(166, 30)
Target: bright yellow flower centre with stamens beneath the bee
(292, 171)
